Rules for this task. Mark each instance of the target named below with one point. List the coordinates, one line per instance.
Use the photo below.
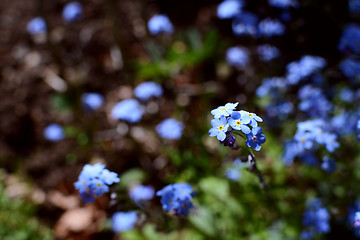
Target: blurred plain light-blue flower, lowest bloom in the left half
(123, 221)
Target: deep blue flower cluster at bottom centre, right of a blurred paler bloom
(177, 198)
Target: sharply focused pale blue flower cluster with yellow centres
(226, 116)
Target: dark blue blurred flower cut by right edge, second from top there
(350, 39)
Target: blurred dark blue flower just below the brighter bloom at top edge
(245, 23)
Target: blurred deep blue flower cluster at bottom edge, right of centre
(316, 218)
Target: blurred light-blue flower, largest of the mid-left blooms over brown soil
(128, 110)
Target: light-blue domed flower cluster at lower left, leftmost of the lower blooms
(94, 180)
